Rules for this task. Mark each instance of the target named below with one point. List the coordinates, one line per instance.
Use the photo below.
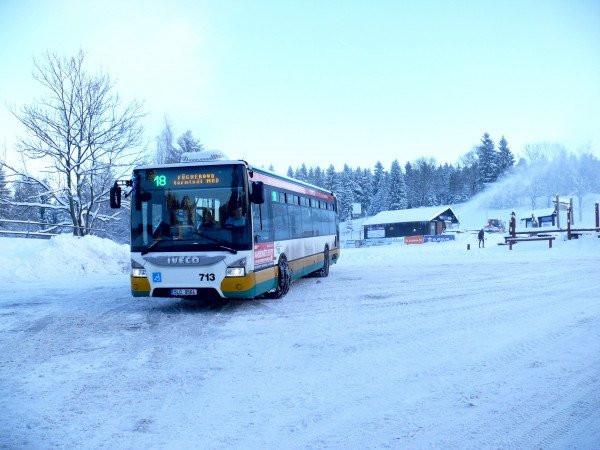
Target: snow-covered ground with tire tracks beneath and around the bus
(402, 346)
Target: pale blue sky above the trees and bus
(284, 82)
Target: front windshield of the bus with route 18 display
(197, 208)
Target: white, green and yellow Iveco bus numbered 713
(223, 229)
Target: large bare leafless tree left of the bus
(85, 135)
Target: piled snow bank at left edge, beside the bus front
(63, 259)
